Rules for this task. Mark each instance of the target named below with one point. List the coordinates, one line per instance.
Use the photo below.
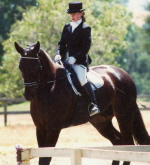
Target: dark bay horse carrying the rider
(55, 106)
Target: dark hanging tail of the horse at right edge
(139, 131)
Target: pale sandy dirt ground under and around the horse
(20, 130)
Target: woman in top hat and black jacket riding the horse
(73, 47)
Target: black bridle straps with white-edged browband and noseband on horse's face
(36, 83)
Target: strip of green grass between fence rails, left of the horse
(17, 107)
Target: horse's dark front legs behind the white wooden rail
(46, 138)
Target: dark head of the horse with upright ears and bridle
(30, 67)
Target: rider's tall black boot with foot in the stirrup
(93, 108)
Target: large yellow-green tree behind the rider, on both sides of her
(109, 23)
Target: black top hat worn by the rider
(75, 7)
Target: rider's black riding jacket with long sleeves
(76, 43)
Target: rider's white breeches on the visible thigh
(81, 72)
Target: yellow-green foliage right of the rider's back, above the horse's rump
(109, 31)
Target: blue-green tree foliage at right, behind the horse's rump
(135, 59)
